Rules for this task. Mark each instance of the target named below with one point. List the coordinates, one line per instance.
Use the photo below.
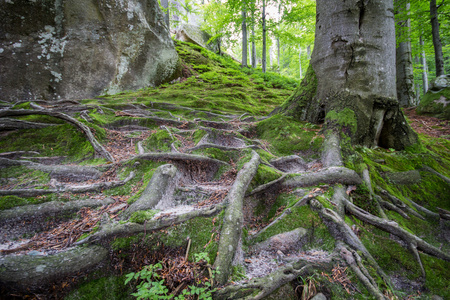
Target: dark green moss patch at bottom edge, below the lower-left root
(111, 287)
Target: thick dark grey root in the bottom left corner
(32, 273)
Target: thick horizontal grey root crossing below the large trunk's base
(329, 175)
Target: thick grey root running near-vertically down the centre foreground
(233, 219)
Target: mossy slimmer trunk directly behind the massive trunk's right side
(405, 75)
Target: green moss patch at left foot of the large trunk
(287, 136)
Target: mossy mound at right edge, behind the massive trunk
(436, 104)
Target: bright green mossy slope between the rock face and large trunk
(218, 84)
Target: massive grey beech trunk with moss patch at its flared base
(354, 63)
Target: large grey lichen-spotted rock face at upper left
(74, 49)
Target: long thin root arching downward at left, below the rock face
(99, 149)
